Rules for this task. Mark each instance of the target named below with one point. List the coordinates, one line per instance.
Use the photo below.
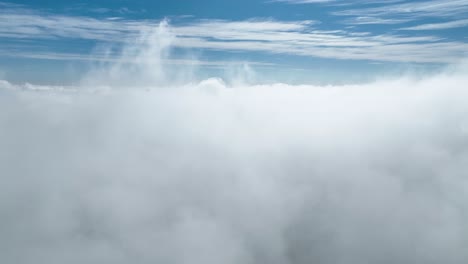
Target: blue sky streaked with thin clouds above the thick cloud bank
(305, 40)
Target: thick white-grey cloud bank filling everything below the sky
(214, 173)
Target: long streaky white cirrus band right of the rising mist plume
(308, 42)
